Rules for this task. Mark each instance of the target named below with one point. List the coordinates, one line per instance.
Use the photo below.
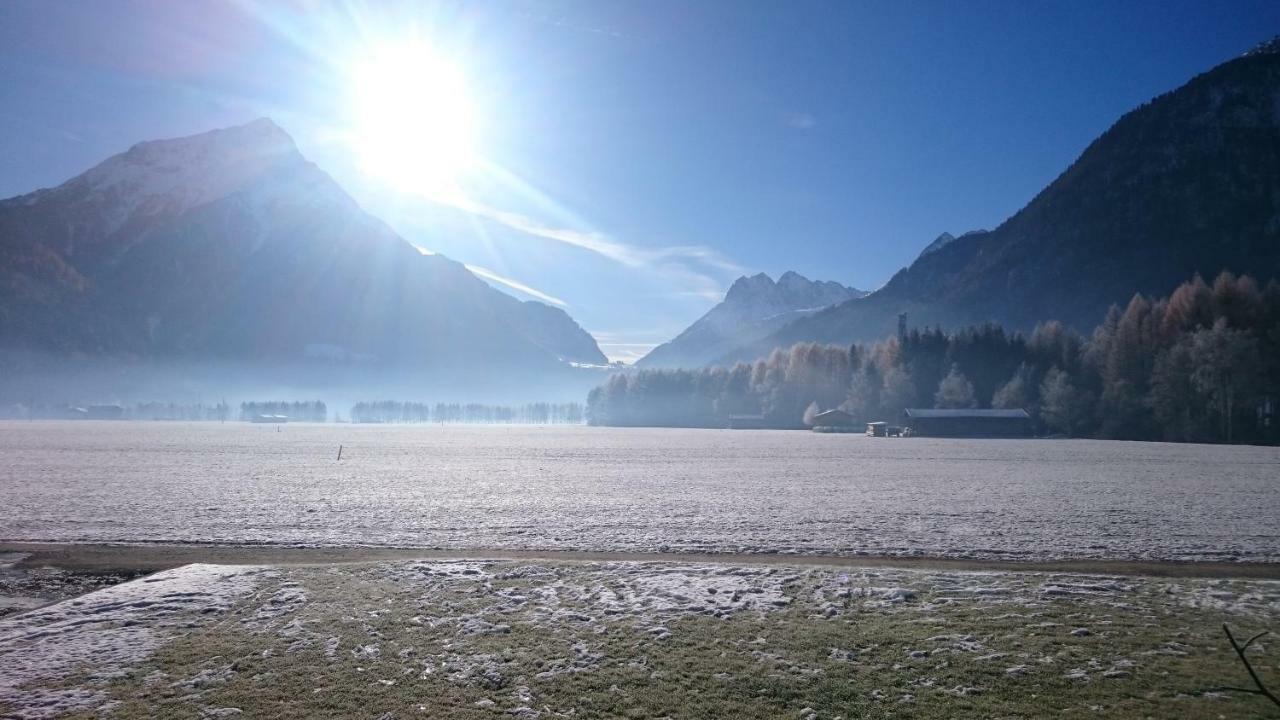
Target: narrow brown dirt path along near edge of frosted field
(152, 558)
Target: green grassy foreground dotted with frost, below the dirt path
(648, 640)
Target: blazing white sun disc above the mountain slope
(413, 119)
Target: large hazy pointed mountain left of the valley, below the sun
(230, 245)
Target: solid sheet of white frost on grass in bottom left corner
(60, 659)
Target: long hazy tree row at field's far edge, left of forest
(473, 413)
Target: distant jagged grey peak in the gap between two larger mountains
(753, 308)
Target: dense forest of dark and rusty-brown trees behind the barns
(1201, 366)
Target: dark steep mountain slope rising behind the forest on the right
(1187, 184)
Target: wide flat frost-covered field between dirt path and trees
(637, 490)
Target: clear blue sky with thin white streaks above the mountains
(638, 157)
